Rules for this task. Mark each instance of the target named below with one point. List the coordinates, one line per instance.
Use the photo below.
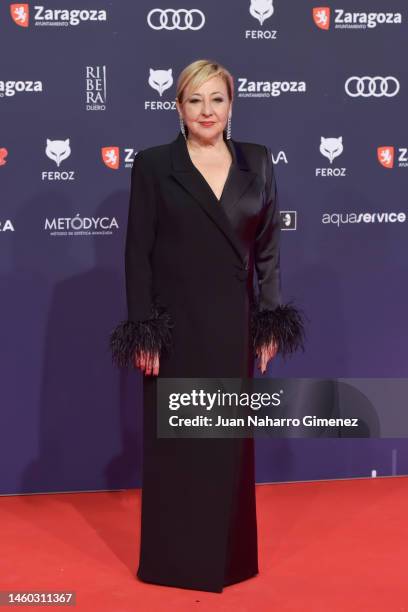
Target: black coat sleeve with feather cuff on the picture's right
(271, 319)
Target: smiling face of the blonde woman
(205, 109)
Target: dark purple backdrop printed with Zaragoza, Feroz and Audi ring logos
(84, 85)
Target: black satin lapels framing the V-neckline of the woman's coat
(239, 179)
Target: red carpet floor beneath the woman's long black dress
(323, 546)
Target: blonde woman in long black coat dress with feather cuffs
(203, 215)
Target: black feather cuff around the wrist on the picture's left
(151, 335)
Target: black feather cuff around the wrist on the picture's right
(284, 324)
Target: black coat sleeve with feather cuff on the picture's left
(148, 327)
